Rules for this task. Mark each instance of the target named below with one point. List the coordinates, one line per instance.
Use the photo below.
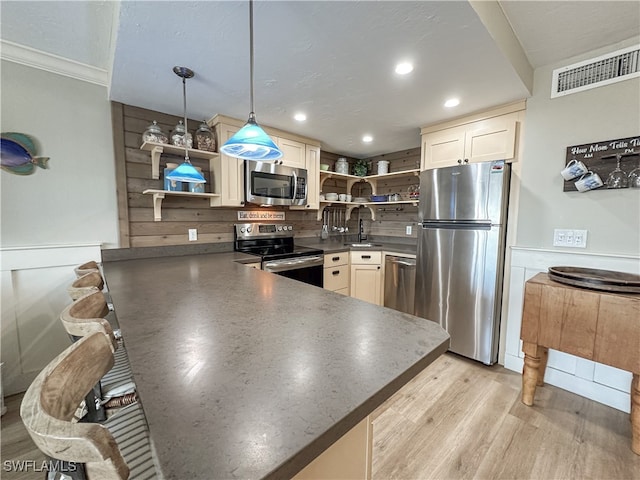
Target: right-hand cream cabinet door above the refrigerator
(493, 141)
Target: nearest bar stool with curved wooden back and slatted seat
(119, 449)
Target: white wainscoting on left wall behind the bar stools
(34, 292)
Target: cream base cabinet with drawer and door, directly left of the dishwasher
(366, 276)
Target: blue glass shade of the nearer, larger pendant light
(251, 143)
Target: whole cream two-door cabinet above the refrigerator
(492, 135)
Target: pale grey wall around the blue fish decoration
(74, 201)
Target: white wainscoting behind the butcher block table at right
(596, 381)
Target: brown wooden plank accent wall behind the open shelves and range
(214, 225)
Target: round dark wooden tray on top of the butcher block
(607, 280)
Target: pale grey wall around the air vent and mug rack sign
(612, 217)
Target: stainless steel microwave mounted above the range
(267, 183)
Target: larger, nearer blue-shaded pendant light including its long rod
(251, 142)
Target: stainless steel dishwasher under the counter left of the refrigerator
(399, 283)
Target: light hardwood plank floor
(460, 419)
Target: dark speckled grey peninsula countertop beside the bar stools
(247, 374)
